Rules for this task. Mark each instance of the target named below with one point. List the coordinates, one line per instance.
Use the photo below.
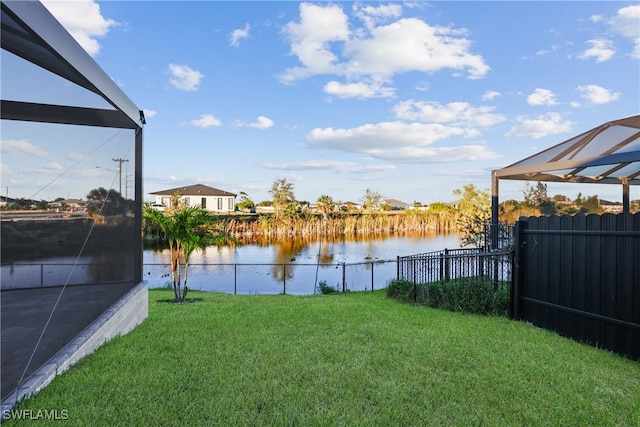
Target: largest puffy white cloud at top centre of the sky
(324, 44)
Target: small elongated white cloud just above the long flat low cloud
(456, 113)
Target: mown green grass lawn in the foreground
(355, 359)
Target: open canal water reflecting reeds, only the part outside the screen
(296, 265)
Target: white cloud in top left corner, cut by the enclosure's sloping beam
(83, 20)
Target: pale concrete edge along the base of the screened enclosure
(119, 319)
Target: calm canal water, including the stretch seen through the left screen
(292, 265)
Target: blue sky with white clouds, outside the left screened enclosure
(410, 99)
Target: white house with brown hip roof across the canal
(208, 198)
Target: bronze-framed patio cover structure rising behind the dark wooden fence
(607, 154)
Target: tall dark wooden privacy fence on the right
(580, 276)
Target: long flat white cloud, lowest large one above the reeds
(398, 141)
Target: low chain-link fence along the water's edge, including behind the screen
(235, 278)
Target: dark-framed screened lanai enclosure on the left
(71, 187)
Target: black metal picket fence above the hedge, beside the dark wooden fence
(452, 264)
